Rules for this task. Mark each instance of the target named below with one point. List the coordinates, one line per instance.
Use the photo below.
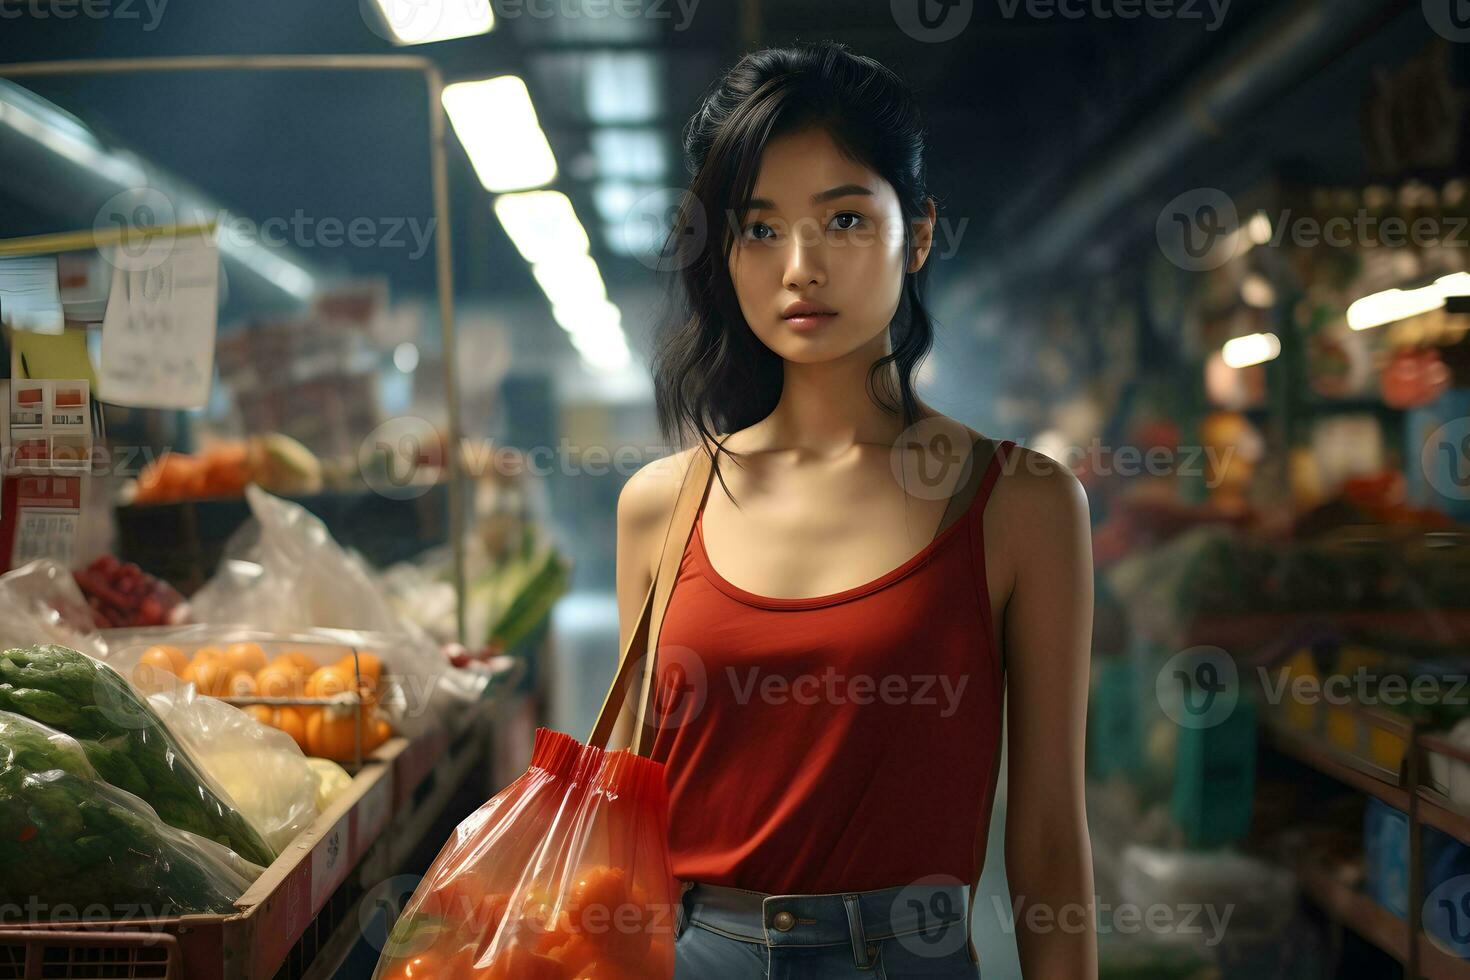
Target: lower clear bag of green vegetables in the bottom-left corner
(77, 847)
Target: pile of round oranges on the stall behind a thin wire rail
(240, 671)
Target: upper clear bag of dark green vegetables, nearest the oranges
(126, 741)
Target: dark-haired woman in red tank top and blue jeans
(868, 581)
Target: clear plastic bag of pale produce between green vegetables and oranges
(261, 768)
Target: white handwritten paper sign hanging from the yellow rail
(158, 337)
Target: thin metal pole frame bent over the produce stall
(445, 255)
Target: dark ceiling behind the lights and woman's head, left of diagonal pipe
(1017, 105)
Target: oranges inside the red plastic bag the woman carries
(605, 931)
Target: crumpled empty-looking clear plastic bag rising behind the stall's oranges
(284, 574)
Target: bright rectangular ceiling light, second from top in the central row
(498, 124)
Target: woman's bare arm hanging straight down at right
(1049, 637)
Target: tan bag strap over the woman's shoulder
(637, 662)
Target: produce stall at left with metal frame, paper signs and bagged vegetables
(245, 688)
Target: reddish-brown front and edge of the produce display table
(301, 915)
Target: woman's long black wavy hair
(712, 374)
